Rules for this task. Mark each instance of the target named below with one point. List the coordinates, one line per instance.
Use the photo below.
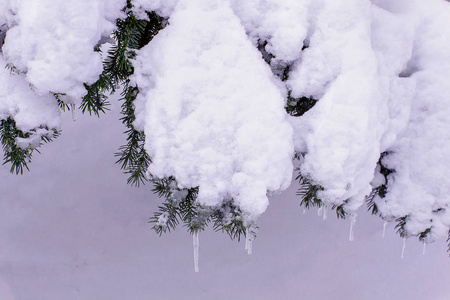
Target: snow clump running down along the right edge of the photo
(420, 188)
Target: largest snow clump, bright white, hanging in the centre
(211, 107)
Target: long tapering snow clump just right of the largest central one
(341, 133)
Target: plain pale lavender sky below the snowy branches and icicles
(73, 229)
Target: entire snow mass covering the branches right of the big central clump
(380, 71)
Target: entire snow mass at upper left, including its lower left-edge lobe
(49, 45)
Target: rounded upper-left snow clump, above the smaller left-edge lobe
(56, 51)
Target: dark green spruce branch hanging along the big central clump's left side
(131, 34)
